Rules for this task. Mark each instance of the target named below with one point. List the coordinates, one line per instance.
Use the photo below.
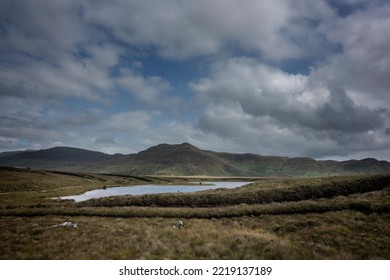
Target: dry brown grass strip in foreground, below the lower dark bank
(335, 235)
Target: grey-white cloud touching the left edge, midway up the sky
(68, 77)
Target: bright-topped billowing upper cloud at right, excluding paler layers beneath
(265, 91)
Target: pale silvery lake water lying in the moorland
(154, 189)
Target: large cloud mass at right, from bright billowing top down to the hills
(253, 102)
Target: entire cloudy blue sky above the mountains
(272, 77)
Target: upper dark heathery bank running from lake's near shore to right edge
(254, 194)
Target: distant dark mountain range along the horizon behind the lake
(185, 159)
